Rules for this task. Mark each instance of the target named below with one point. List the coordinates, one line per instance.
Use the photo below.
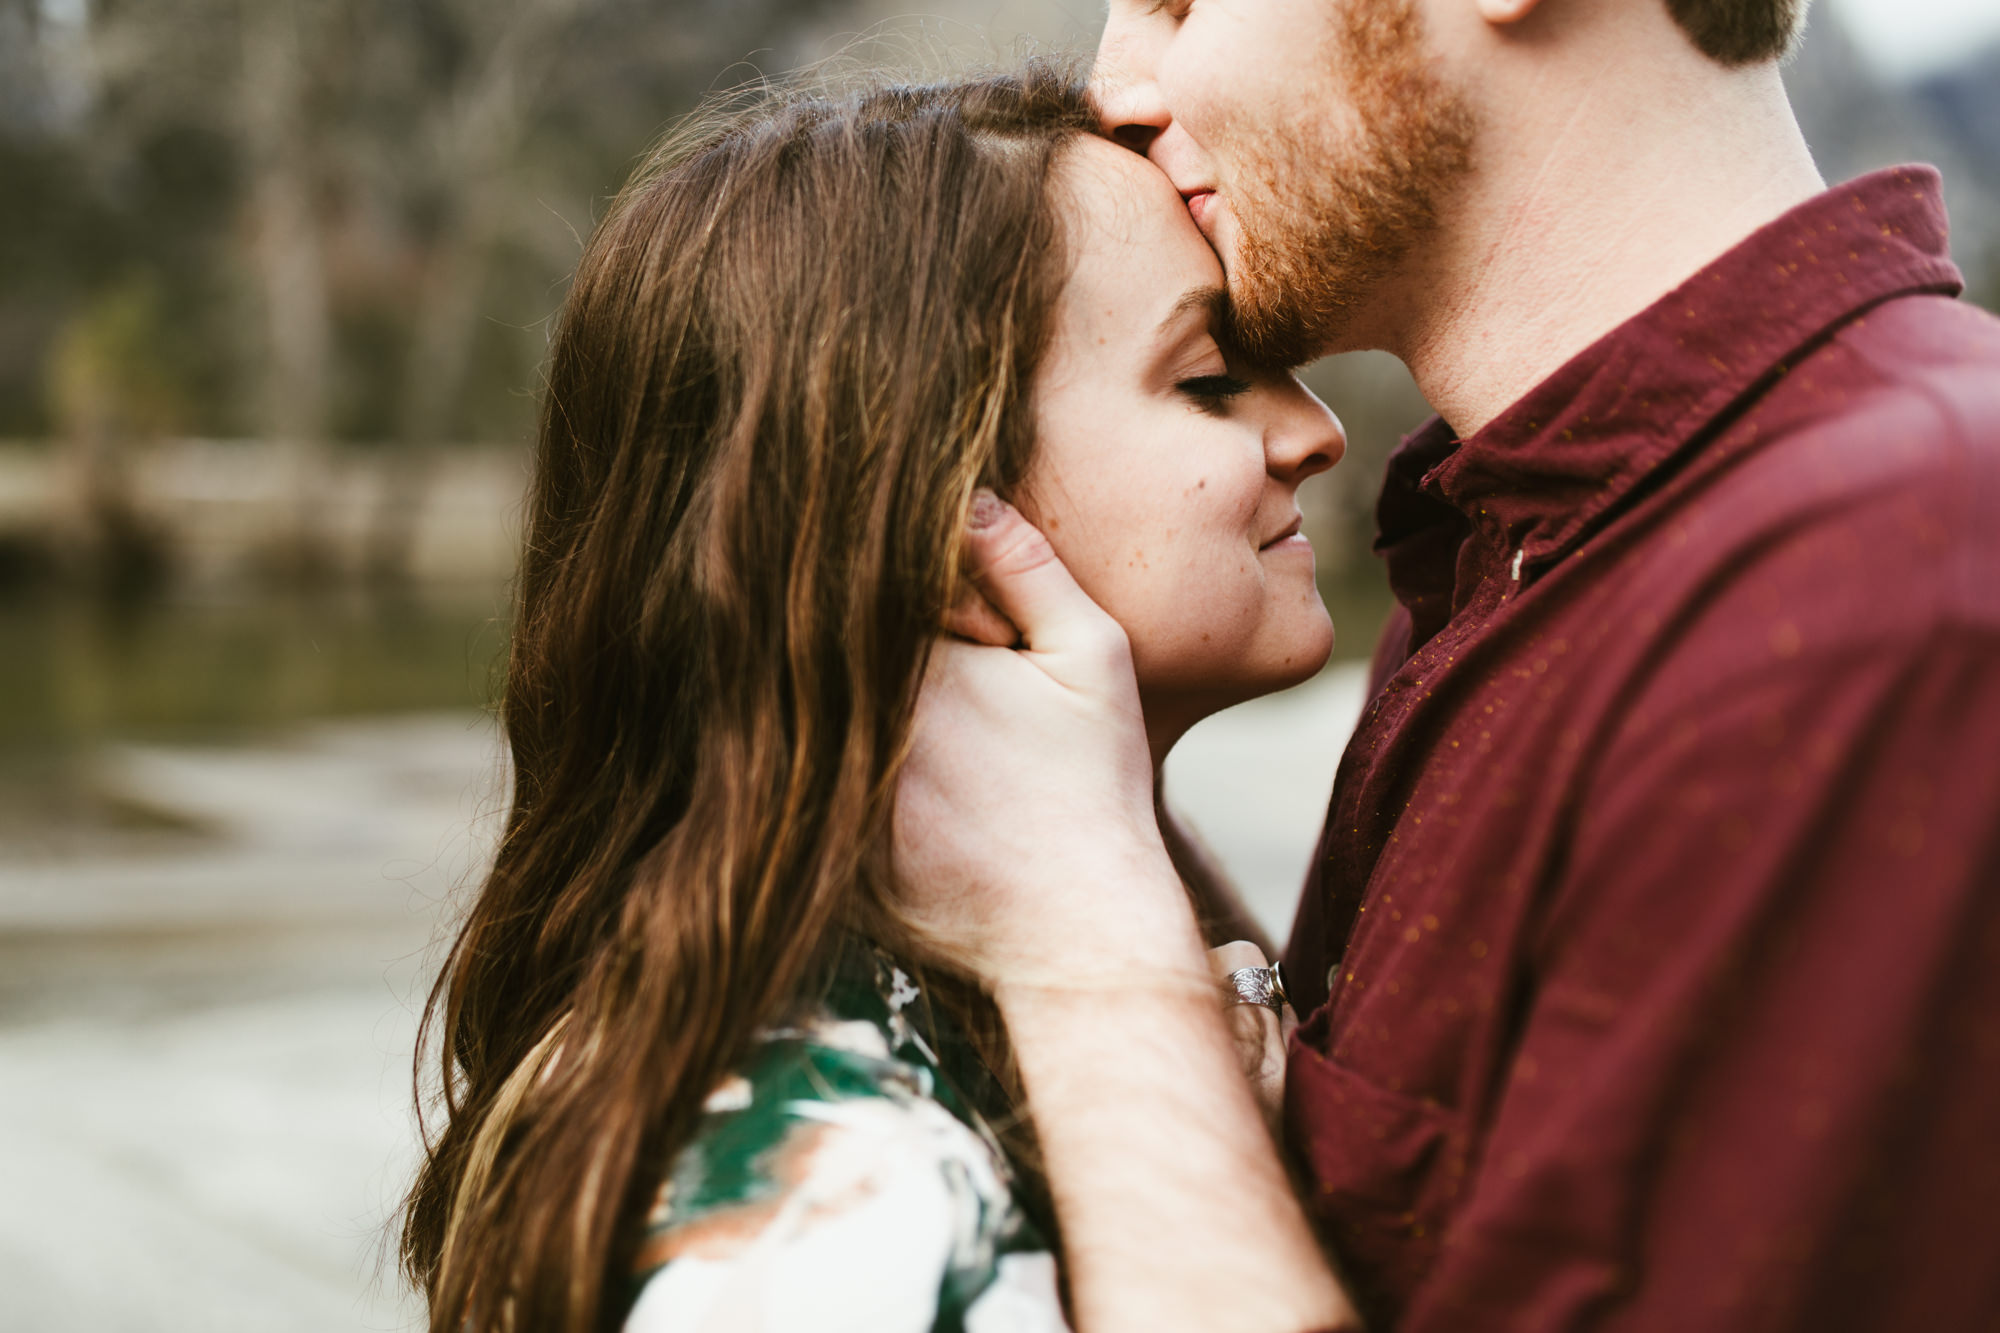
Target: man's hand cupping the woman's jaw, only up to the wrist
(1025, 824)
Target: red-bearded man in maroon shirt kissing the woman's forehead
(1653, 950)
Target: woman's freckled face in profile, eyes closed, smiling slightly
(1161, 507)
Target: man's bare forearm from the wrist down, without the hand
(1175, 1208)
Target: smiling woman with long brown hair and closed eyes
(695, 1076)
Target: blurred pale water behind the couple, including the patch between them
(229, 848)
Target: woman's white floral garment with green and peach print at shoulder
(841, 1180)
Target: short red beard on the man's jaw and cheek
(1323, 217)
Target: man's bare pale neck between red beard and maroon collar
(1619, 203)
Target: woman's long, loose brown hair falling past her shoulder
(793, 349)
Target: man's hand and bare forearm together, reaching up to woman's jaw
(1029, 850)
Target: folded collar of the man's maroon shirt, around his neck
(1547, 469)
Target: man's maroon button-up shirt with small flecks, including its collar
(1661, 882)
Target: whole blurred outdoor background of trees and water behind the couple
(275, 283)
